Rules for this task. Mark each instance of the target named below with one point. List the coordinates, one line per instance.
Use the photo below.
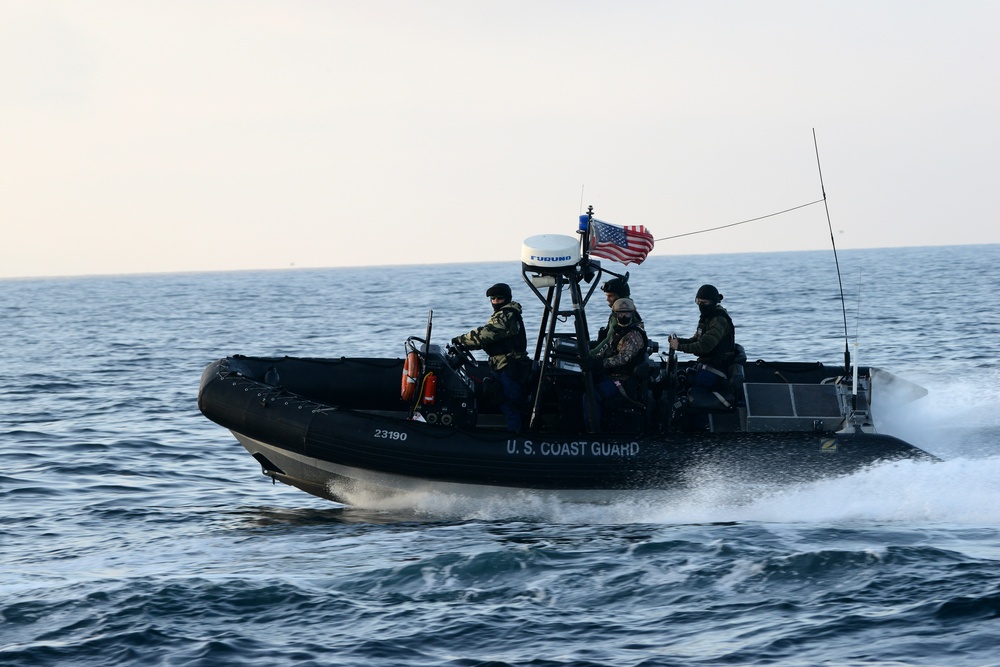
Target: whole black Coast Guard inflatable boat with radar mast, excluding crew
(341, 427)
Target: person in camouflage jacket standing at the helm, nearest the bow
(504, 339)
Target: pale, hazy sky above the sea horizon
(176, 136)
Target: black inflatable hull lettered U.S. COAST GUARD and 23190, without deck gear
(336, 450)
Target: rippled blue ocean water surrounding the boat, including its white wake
(133, 531)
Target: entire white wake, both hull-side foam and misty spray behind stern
(959, 423)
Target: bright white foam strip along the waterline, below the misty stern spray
(958, 491)
